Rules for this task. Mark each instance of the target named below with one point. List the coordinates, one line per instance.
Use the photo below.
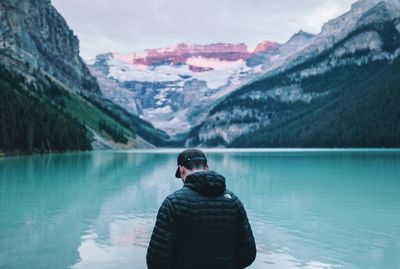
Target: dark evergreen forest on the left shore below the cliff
(29, 124)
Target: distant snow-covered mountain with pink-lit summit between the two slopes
(175, 87)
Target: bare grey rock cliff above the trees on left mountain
(34, 34)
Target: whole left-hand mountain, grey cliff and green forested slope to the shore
(42, 75)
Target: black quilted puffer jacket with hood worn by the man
(202, 226)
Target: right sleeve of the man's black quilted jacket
(246, 246)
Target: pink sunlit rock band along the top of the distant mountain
(182, 52)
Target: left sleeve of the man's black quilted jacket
(162, 243)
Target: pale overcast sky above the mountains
(134, 25)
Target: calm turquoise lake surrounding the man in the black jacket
(308, 208)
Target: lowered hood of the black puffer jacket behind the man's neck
(207, 183)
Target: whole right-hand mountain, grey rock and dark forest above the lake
(298, 93)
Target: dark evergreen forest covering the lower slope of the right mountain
(361, 110)
